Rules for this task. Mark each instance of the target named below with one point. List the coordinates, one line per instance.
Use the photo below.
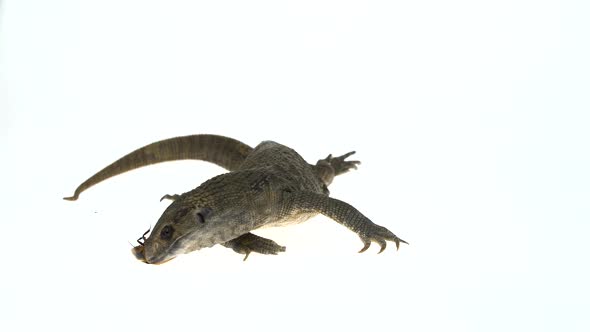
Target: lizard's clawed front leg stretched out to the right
(342, 213)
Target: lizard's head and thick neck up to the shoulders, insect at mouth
(219, 210)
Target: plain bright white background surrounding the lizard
(471, 119)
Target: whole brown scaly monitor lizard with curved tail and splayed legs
(270, 185)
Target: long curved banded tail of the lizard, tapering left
(223, 151)
